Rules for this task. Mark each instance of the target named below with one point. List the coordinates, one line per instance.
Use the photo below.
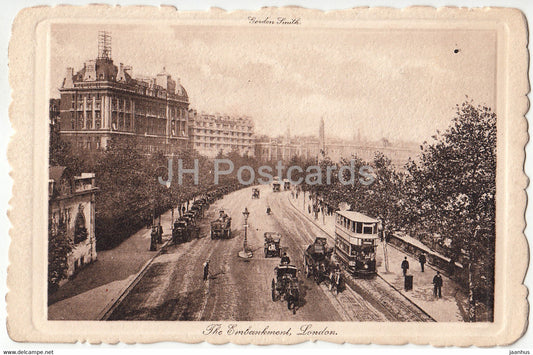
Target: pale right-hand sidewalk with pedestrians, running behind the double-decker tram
(450, 308)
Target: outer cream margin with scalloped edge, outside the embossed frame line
(20, 323)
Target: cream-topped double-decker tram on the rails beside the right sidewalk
(356, 237)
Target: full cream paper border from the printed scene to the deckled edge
(28, 149)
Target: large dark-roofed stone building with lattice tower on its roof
(103, 102)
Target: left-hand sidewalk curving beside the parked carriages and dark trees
(99, 284)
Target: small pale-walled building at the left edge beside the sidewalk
(71, 203)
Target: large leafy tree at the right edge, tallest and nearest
(454, 186)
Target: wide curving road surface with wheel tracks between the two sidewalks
(240, 290)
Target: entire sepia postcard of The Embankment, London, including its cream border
(278, 176)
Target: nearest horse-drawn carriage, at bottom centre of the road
(285, 286)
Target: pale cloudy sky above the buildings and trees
(394, 84)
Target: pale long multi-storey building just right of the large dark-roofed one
(212, 134)
